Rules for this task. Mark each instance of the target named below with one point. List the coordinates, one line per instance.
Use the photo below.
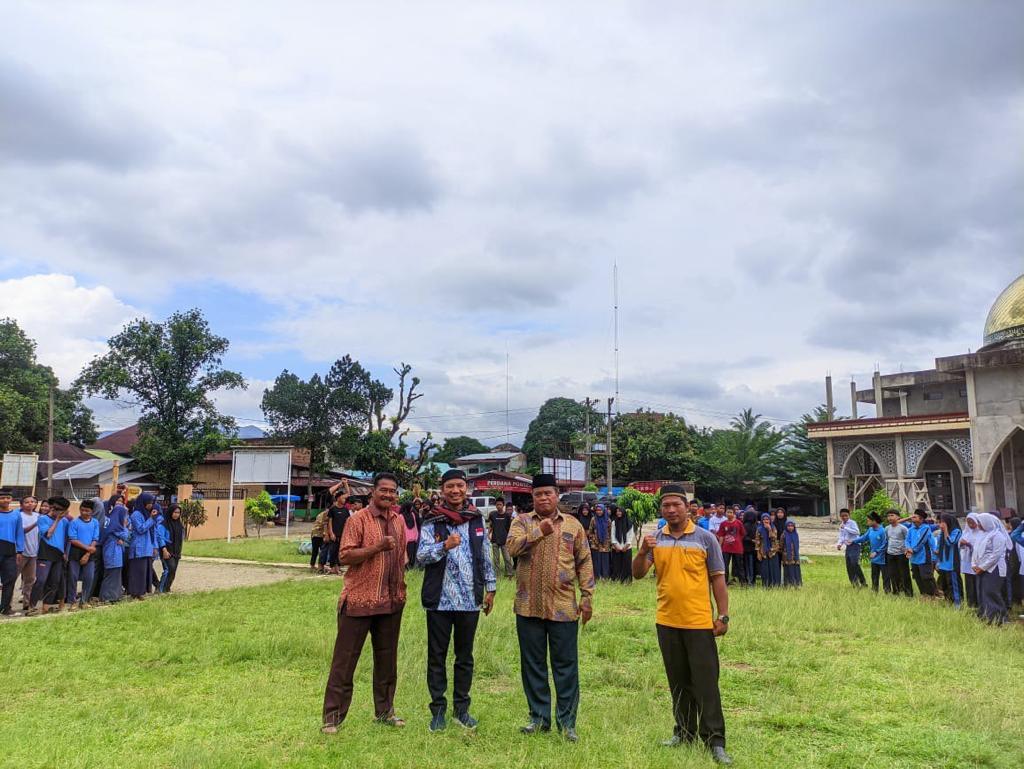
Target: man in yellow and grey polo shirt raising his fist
(689, 568)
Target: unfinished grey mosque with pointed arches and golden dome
(948, 440)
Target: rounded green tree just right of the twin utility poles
(653, 447)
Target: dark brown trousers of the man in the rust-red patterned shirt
(383, 630)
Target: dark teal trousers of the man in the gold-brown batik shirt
(537, 638)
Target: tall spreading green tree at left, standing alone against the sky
(172, 371)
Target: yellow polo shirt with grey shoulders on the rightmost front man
(684, 567)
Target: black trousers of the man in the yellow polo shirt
(692, 665)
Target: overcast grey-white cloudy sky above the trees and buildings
(789, 189)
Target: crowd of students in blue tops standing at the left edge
(106, 552)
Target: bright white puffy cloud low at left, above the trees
(70, 323)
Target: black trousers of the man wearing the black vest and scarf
(441, 627)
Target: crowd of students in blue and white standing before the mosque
(982, 567)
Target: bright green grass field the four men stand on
(824, 677)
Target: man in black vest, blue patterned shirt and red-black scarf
(458, 582)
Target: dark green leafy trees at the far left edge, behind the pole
(25, 389)
